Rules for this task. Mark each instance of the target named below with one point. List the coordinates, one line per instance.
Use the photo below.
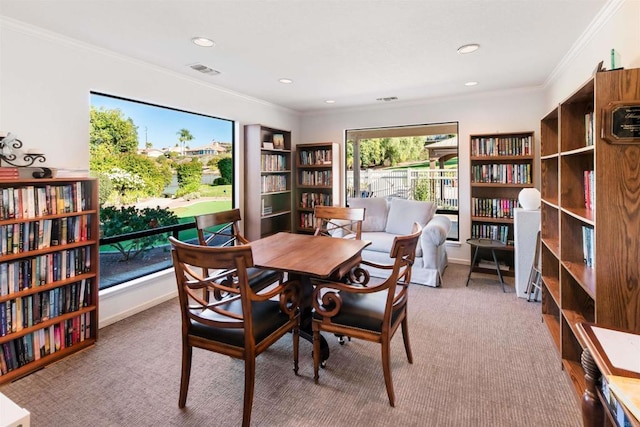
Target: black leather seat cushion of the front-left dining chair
(267, 318)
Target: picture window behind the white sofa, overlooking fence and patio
(417, 162)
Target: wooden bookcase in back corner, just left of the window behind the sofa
(316, 173)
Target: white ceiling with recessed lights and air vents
(350, 51)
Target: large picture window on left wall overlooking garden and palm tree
(158, 167)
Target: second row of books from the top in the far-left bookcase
(35, 235)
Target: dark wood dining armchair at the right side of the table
(371, 313)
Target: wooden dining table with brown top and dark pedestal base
(304, 257)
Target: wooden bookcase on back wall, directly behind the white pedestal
(501, 166)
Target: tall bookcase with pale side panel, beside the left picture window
(267, 179)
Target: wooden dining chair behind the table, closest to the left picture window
(223, 229)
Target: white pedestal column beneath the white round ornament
(526, 226)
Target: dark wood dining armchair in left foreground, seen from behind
(243, 323)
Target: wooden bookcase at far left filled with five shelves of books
(49, 231)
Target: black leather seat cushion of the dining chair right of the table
(363, 311)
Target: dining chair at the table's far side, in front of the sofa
(338, 221)
